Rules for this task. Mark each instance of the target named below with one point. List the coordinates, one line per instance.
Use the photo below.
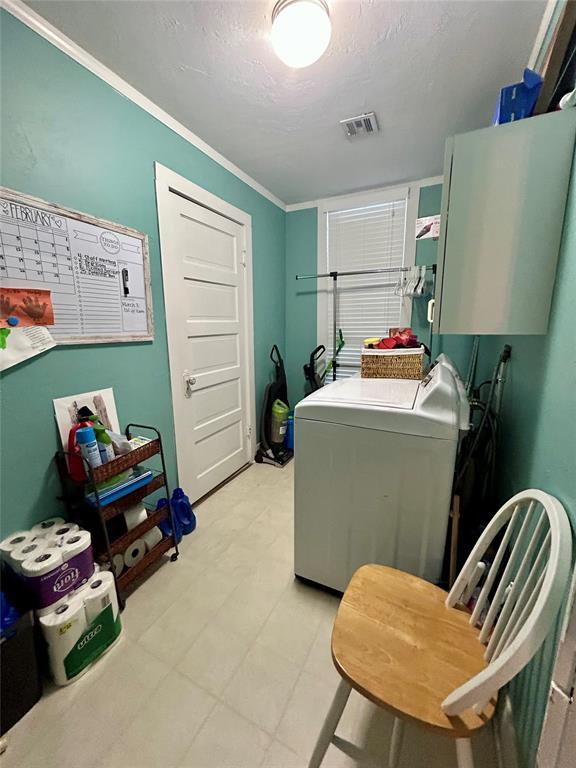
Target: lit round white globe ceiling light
(301, 31)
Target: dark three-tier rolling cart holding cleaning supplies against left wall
(105, 520)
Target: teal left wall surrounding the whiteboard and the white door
(69, 138)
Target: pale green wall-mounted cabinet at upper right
(502, 225)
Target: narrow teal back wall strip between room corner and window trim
(301, 259)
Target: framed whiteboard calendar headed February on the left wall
(97, 272)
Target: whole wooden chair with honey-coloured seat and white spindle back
(417, 651)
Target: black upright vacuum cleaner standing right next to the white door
(271, 451)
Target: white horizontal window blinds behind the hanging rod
(370, 237)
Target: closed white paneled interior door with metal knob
(205, 294)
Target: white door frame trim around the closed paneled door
(167, 183)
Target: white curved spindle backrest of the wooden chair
(521, 590)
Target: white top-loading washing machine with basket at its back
(374, 463)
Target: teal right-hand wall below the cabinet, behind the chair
(538, 442)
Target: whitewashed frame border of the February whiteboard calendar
(54, 209)
